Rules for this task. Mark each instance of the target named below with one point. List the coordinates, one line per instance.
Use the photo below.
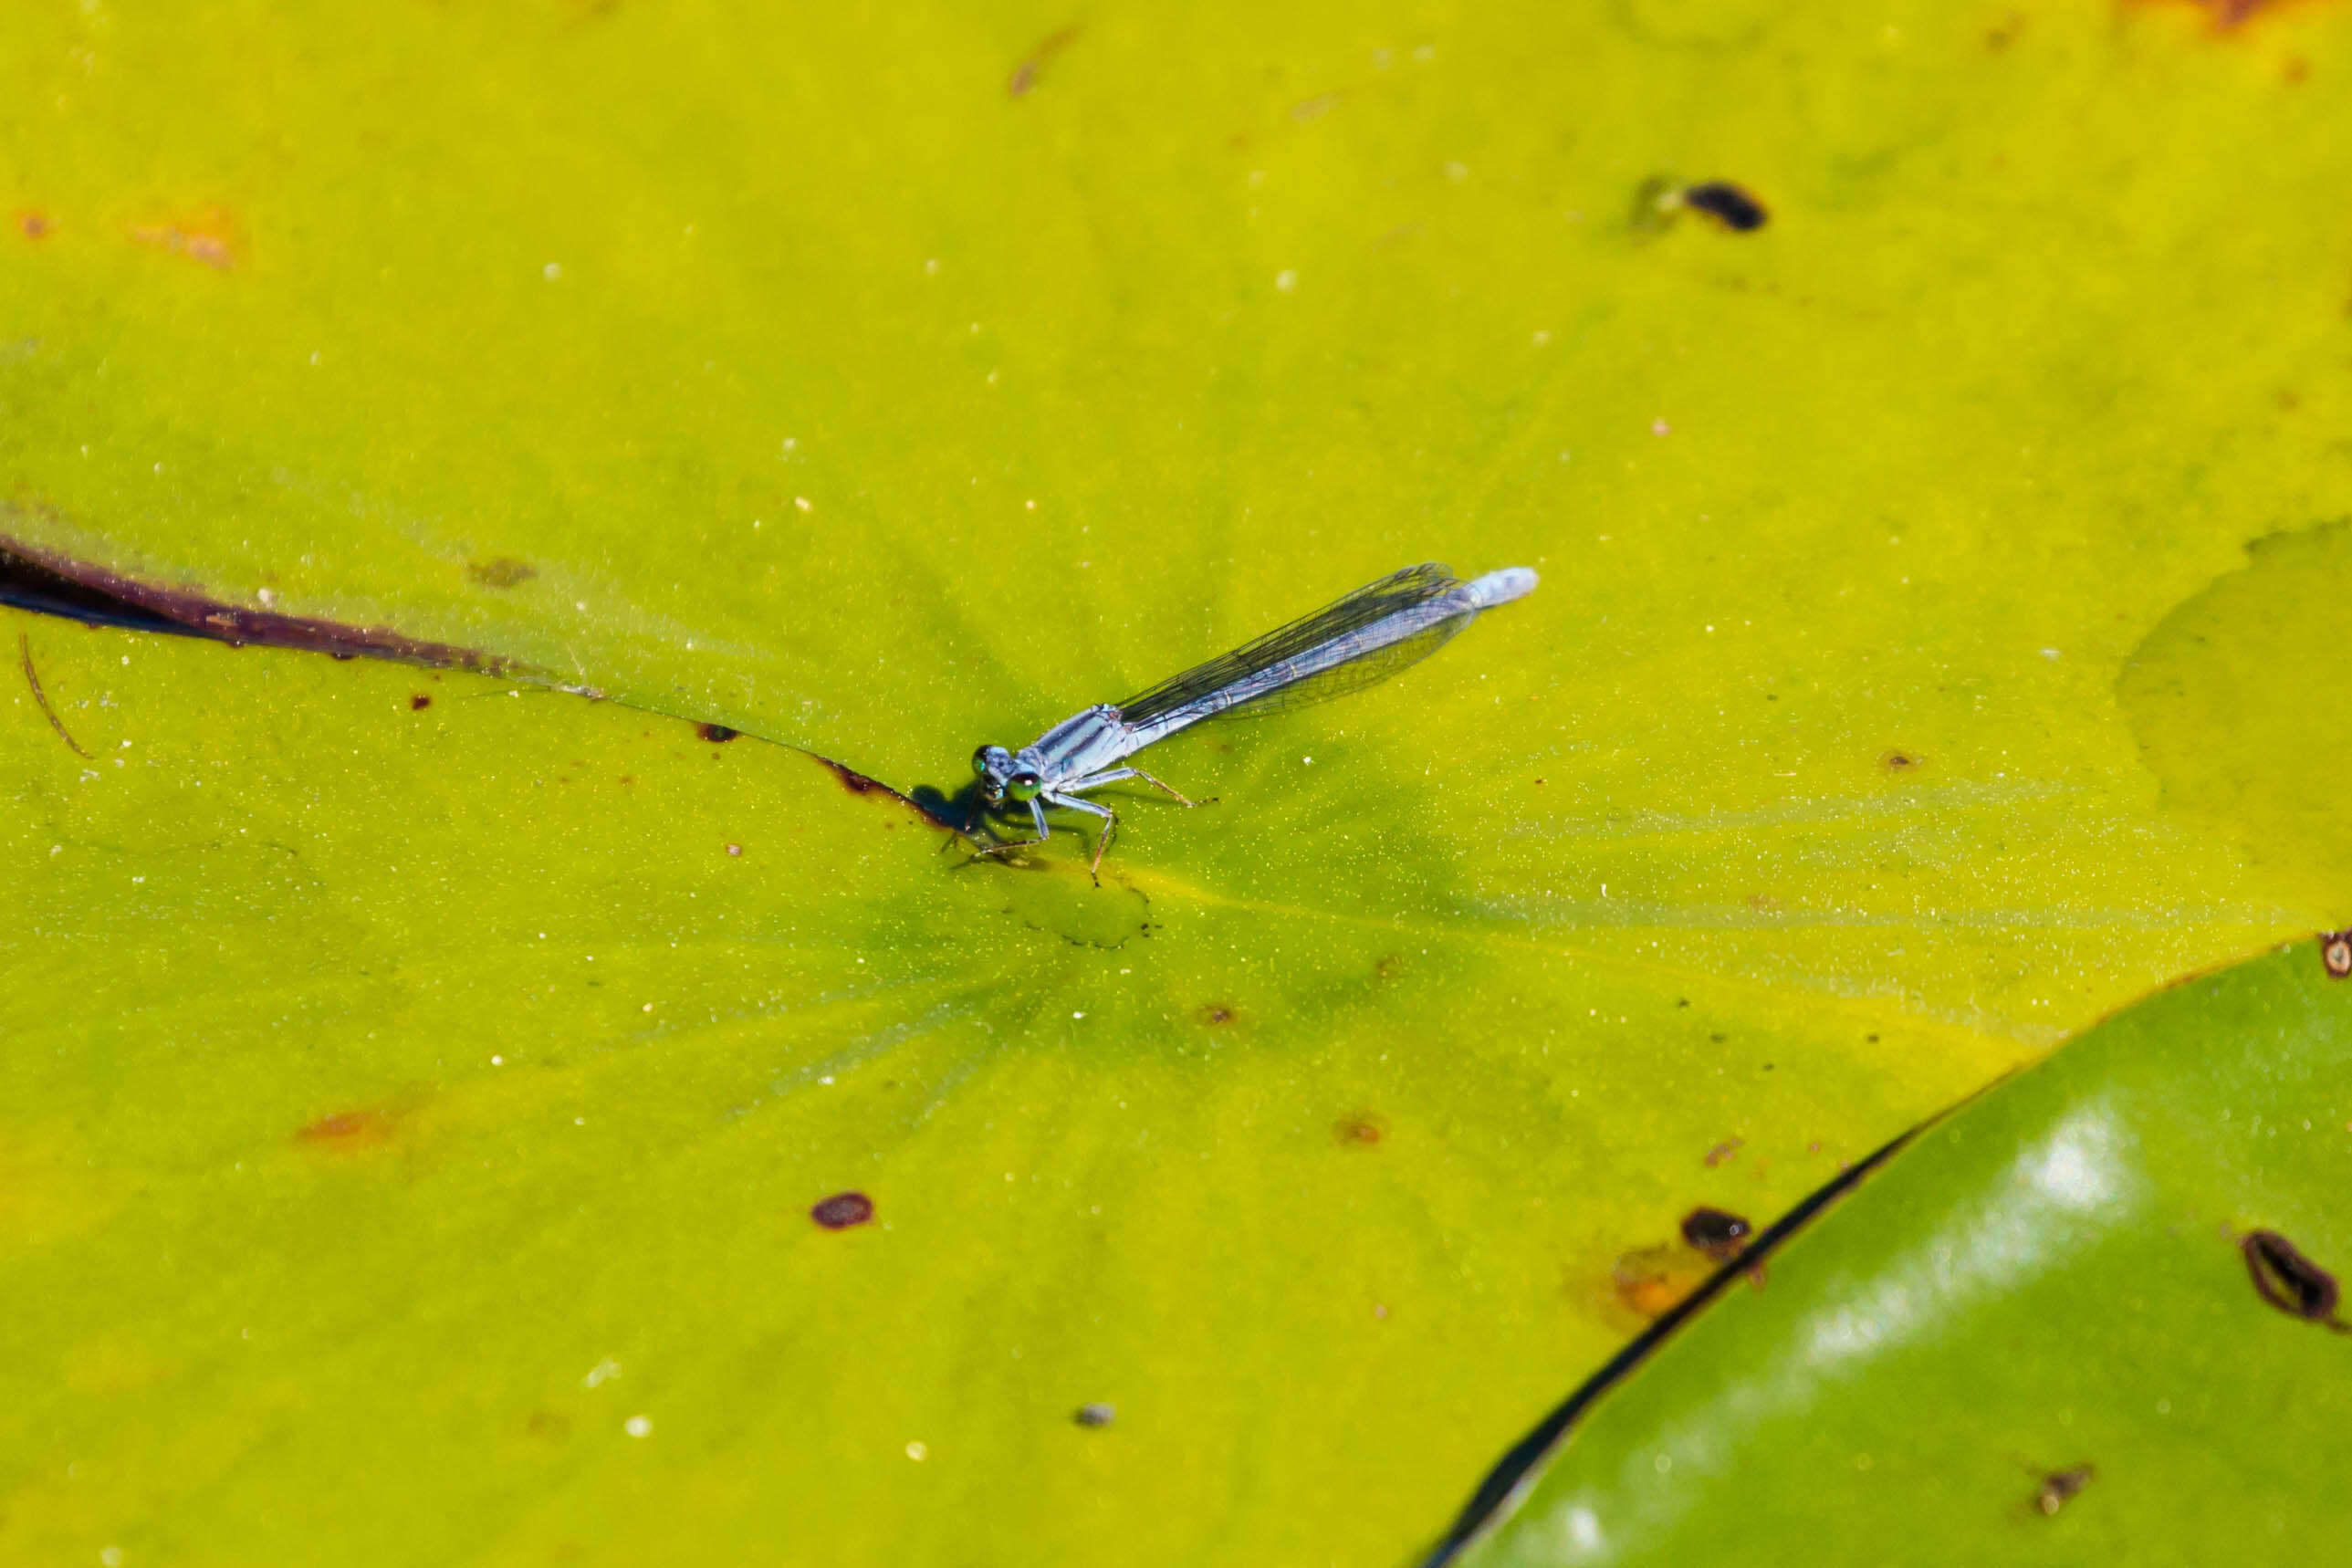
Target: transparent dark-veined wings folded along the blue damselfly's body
(1349, 629)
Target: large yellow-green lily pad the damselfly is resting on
(796, 373)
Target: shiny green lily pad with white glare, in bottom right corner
(2033, 1336)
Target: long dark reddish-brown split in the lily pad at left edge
(60, 587)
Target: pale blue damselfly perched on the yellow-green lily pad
(1349, 645)
